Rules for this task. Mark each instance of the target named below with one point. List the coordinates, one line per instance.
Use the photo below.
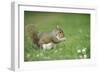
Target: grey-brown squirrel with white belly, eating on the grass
(47, 40)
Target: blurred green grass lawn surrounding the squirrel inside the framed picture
(75, 26)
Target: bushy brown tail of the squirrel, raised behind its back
(32, 33)
